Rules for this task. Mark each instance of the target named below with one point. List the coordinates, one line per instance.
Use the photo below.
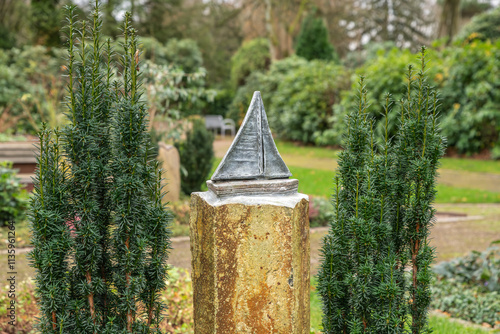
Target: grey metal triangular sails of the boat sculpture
(253, 154)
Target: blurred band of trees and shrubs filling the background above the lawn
(207, 57)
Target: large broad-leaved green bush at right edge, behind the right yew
(471, 98)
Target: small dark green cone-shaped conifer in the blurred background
(312, 41)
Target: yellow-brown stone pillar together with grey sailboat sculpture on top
(250, 240)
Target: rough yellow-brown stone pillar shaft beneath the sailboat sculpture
(250, 266)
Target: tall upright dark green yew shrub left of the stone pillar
(100, 232)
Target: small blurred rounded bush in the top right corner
(483, 27)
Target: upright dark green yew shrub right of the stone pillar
(375, 273)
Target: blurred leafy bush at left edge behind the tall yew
(30, 89)
